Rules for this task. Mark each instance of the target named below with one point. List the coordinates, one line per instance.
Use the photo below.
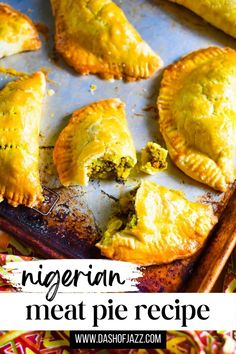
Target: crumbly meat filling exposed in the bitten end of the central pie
(103, 168)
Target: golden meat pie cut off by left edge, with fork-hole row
(20, 115)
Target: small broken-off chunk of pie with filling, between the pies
(153, 158)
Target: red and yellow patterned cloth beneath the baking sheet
(51, 342)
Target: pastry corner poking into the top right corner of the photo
(220, 13)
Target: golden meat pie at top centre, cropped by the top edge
(95, 37)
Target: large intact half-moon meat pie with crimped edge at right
(197, 107)
